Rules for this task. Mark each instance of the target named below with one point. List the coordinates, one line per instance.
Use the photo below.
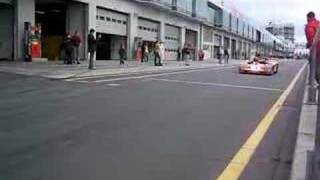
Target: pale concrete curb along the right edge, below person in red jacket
(305, 142)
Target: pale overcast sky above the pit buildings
(286, 11)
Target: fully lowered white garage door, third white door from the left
(172, 42)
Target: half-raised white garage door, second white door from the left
(148, 30)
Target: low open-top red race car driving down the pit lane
(259, 66)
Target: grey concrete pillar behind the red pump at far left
(24, 12)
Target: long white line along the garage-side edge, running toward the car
(153, 75)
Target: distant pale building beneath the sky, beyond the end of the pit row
(283, 30)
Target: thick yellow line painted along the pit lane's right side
(237, 165)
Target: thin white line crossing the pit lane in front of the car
(217, 84)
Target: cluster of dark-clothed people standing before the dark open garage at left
(70, 48)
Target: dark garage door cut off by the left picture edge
(6, 36)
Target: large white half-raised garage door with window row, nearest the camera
(110, 22)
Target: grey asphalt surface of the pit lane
(184, 125)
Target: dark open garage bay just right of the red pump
(57, 18)
